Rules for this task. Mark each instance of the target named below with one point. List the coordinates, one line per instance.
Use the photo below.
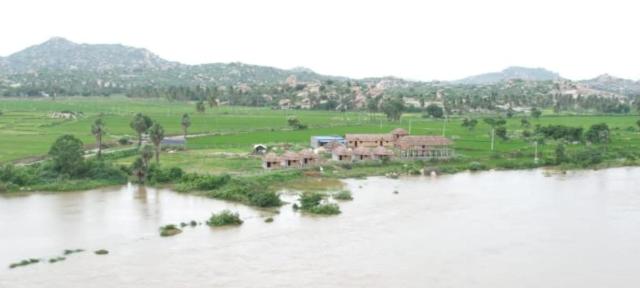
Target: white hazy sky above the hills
(422, 40)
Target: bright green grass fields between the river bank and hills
(27, 130)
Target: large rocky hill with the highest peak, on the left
(115, 65)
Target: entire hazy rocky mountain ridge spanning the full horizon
(67, 67)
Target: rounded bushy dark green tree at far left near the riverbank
(67, 153)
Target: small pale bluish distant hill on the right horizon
(514, 72)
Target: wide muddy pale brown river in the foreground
(489, 229)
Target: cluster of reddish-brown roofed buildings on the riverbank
(359, 148)
